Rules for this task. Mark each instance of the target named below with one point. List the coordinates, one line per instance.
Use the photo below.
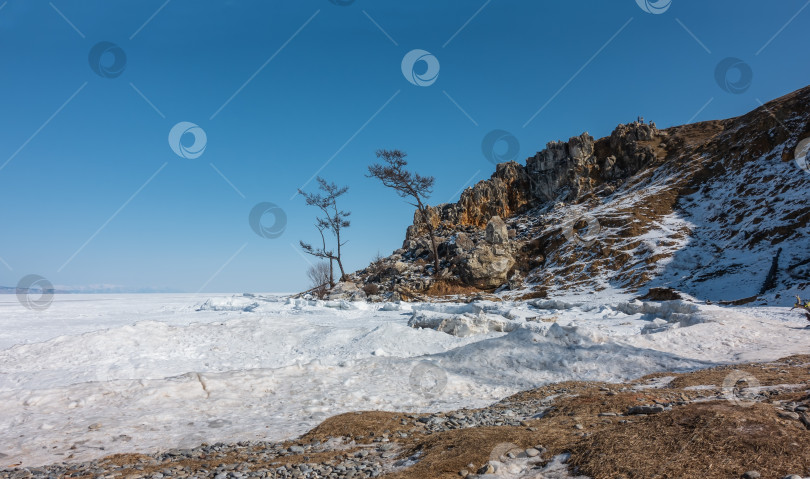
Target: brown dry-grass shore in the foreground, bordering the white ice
(700, 436)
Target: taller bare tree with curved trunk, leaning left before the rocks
(418, 188)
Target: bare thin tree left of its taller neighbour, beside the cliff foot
(333, 220)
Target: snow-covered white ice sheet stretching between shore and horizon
(99, 374)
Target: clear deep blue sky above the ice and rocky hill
(313, 81)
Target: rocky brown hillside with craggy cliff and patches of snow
(719, 210)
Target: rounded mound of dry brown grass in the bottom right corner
(707, 440)
